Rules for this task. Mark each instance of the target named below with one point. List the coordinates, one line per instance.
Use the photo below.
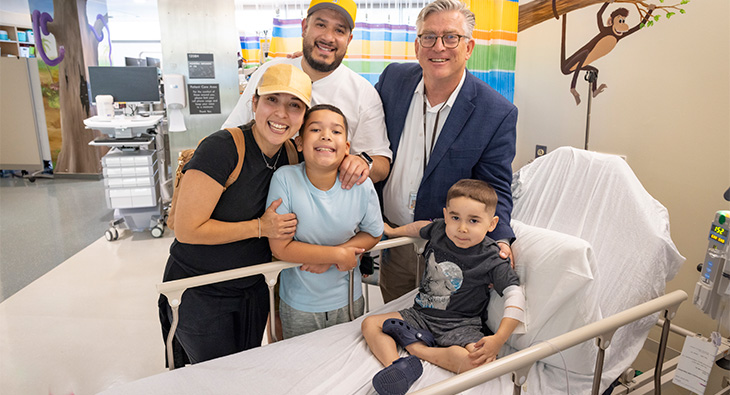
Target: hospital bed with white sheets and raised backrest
(593, 252)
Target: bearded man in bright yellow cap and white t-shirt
(326, 33)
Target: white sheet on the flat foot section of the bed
(335, 360)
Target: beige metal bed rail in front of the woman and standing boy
(173, 290)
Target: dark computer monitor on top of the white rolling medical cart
(125, 84)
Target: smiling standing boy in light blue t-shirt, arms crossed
(334, 226)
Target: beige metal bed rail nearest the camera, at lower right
(519, 363)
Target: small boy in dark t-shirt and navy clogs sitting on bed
(444, 325)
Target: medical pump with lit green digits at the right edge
(712, 290)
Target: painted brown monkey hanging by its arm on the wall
(604, 42)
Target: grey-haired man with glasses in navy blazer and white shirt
(472, 124)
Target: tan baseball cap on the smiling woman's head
(285, 78)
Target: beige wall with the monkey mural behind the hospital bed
(667, 107)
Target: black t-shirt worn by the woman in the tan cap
(244, 200)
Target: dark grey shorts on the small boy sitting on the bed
(446, 331)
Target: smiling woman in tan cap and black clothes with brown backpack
(221, 221)
